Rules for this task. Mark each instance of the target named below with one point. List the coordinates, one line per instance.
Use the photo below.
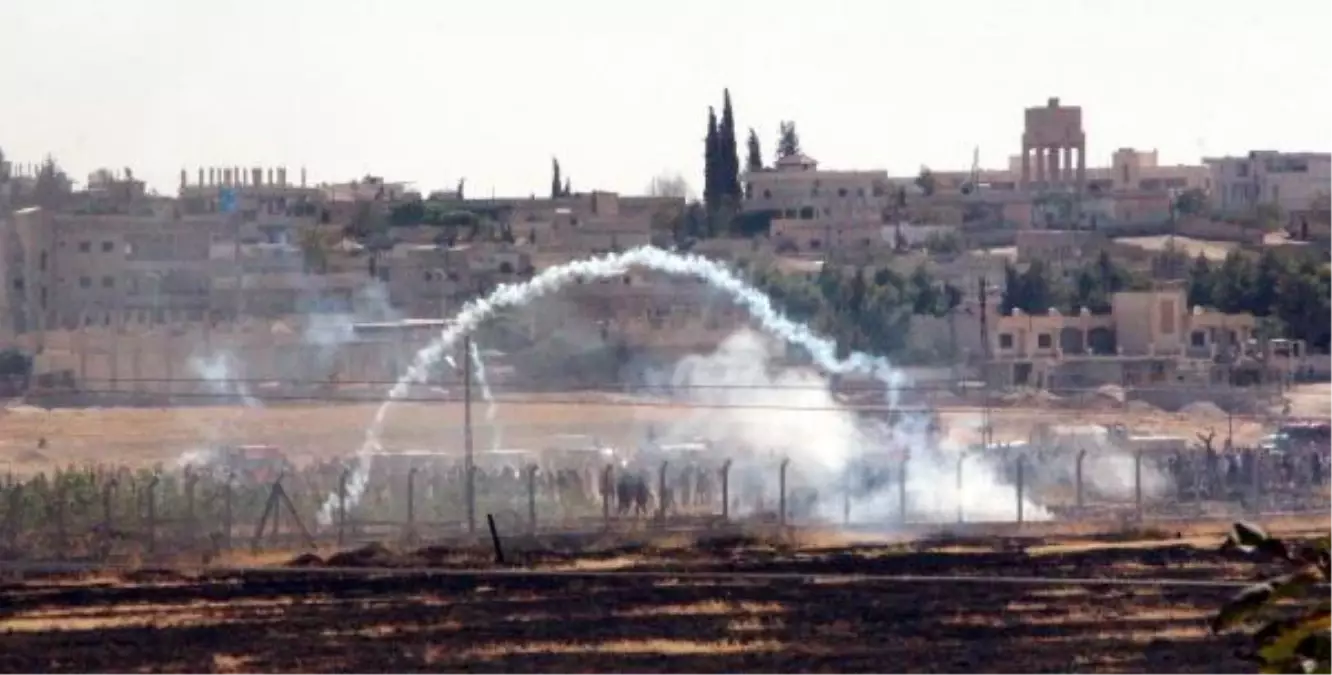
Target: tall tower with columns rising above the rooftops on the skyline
(1054, 148)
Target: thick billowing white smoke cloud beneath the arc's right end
(745, 401)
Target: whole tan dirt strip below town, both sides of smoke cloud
(145, 437)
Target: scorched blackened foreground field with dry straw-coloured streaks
(677, 621)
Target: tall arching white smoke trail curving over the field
(760, 307)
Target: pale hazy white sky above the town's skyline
(432, 91)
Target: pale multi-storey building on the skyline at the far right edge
(1287, 180)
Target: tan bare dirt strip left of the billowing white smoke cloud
(145, 437)
